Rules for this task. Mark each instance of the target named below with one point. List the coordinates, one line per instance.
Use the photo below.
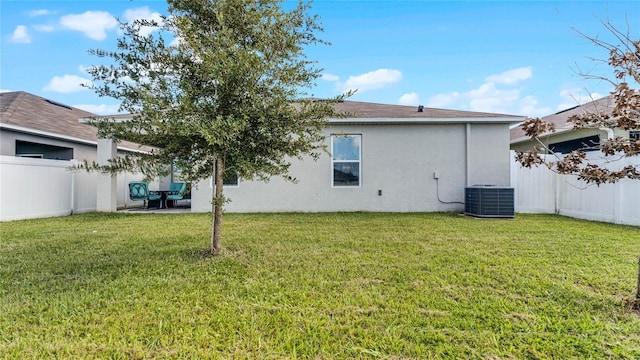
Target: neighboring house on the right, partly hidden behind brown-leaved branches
(565, 139)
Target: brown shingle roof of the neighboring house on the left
(28, 113)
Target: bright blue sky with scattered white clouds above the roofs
(513, 57)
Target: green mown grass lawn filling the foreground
(318, 286)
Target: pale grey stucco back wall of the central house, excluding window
(398, 160)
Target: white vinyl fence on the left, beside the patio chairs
(36, 188)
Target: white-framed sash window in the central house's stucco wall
(345, 160)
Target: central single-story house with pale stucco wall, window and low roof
(385, 158)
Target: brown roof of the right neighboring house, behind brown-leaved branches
(560, 119)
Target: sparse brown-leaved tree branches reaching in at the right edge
(624, 59)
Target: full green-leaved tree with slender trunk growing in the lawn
(217, 87)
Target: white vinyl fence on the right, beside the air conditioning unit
(539, 190)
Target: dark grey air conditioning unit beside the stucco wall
(489, 201)
